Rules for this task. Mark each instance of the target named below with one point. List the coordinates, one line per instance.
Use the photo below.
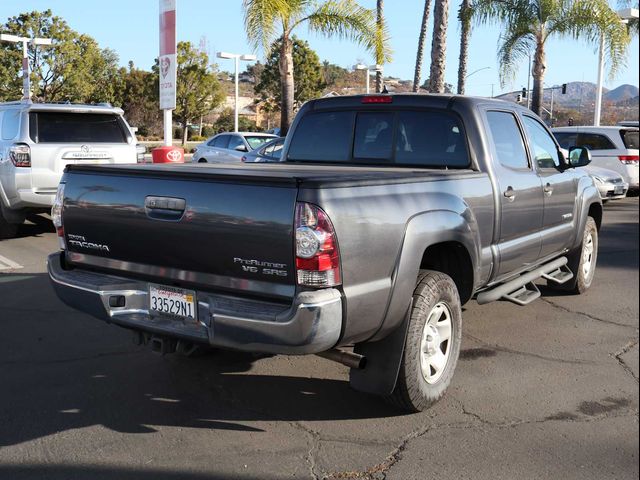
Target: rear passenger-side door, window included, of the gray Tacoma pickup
(520, 191)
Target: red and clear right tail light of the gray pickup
(317, 254)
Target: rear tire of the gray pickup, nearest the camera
(412, 391)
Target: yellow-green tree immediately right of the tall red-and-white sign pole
(198, 91)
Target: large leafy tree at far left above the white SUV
(74, 68)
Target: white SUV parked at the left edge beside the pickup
(38, 140)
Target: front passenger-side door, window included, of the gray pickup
(559, 188)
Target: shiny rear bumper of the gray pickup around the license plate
(311, 324)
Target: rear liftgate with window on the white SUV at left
(67, 138)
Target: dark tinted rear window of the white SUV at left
(62, 127)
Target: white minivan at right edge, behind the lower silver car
(614, 148)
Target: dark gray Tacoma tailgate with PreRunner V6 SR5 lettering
(219, 233)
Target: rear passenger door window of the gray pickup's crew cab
(507, 140)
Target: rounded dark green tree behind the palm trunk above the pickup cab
(307, 74)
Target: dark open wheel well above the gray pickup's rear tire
(453, 259)
